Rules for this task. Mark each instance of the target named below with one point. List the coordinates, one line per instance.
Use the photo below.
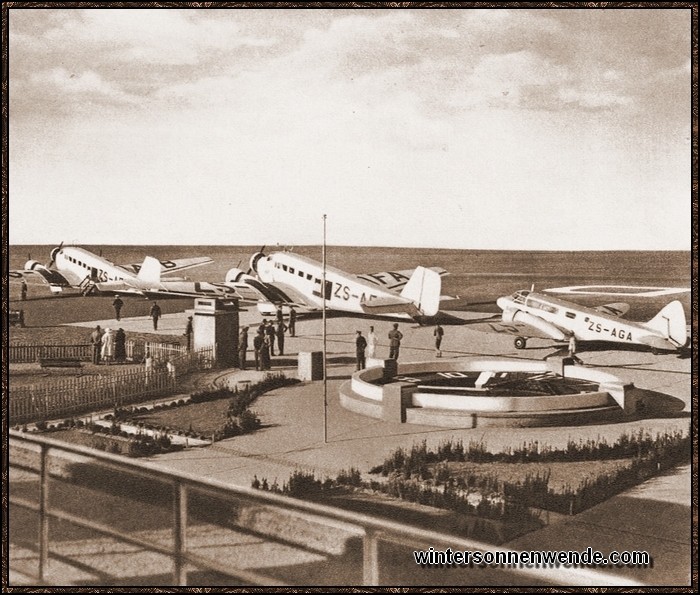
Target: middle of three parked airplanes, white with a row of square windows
(290, 279)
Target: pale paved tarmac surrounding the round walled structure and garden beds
(654, 516)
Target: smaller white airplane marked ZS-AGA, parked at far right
(529, 314)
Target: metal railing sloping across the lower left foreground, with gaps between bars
(210, 527)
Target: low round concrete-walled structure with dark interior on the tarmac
(477, 392)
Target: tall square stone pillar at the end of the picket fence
(215, 323)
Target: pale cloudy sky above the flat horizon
(543, 129)
